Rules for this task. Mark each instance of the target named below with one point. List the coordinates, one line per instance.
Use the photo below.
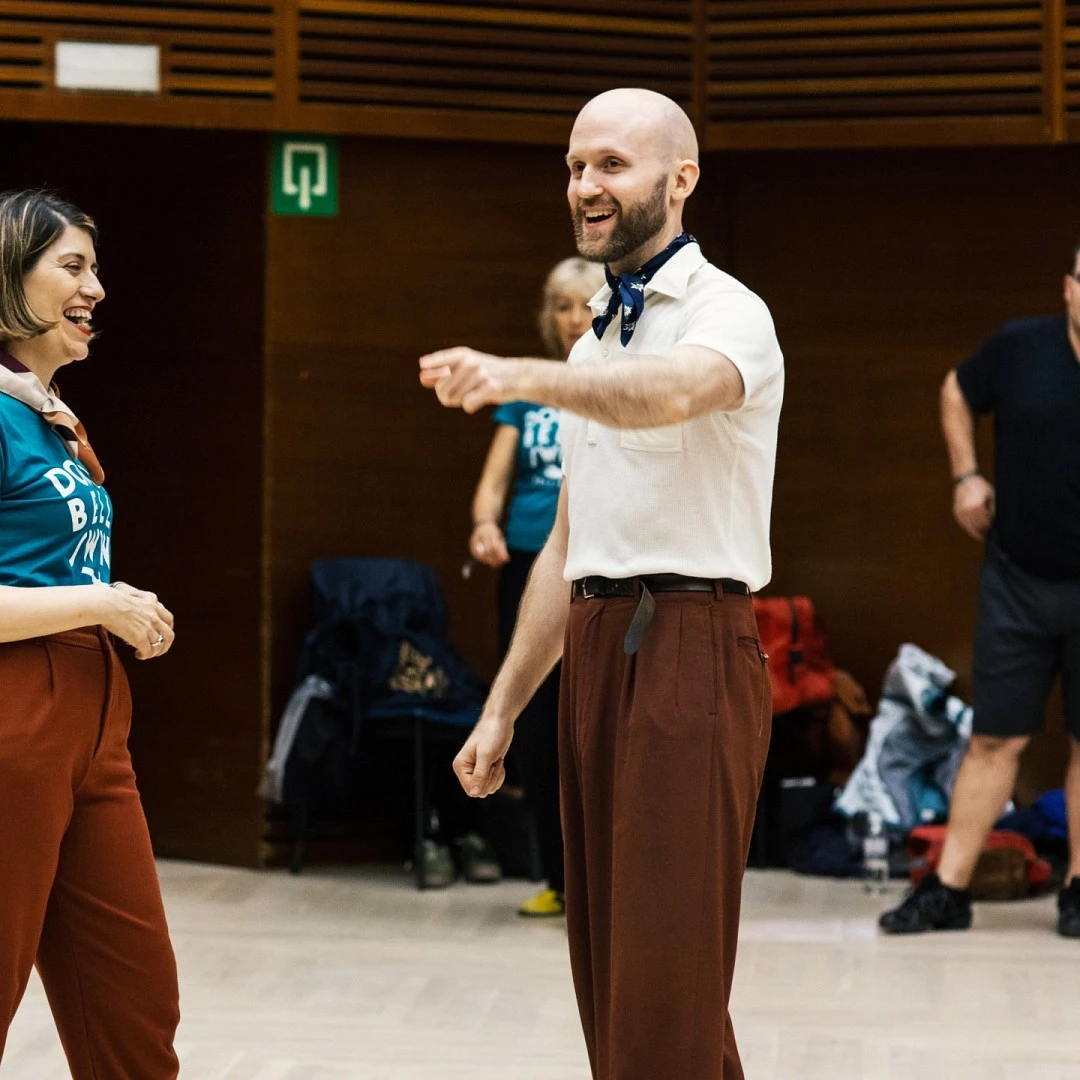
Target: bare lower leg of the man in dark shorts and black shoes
(983, 788)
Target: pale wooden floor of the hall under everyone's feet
(354, 976)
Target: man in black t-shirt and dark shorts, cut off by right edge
(1029, 627)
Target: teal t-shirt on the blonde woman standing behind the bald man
(538, 474)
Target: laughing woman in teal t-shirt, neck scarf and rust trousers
(79, 896)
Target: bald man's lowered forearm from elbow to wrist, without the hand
(538, 637)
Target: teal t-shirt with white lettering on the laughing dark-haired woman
(56, 522)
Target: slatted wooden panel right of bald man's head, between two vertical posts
(874, 60)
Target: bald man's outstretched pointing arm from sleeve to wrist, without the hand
(644, 393)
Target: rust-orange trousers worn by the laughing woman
(79, 894)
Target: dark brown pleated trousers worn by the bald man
(663, 755)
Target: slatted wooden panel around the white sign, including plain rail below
(219, 64)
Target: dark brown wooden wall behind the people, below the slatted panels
(883, 269)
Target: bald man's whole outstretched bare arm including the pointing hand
(643, 393)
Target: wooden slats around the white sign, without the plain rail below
(209, 49)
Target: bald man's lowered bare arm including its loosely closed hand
(534, 651)
